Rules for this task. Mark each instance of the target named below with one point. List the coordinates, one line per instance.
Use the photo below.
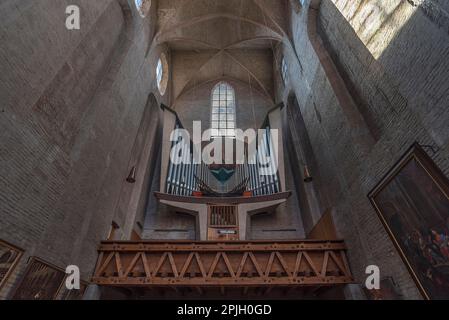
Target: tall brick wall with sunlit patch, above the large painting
(401, 90)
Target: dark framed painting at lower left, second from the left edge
(41, 281)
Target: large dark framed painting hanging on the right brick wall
(412, 202)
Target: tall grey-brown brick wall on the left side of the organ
(71, 106)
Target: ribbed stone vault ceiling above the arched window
(222, 39)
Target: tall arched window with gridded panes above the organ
(223, 111)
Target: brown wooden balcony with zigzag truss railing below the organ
(177, 264)
